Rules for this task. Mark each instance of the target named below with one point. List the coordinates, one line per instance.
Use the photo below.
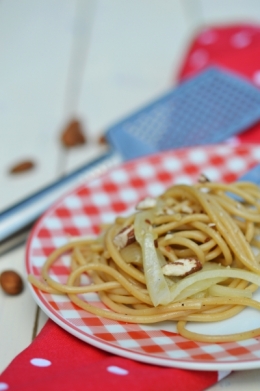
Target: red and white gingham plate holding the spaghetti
(117, 192)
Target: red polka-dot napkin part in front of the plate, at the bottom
(58, 361)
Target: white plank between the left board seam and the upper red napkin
(130, 62)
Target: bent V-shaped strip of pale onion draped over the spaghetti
(159, 290)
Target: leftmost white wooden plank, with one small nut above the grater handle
(34, 60)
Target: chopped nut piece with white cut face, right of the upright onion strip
(182, 267)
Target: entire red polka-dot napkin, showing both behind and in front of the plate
(57, 360)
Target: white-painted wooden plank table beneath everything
(96, 60)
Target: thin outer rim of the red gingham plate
(105, 345)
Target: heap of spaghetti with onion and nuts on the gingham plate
(186, 256)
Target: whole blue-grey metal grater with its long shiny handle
(206, 109)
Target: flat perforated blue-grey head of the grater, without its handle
(207, 109)
